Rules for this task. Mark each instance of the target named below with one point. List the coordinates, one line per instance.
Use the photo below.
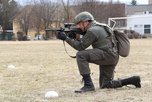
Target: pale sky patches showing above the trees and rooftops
(124, 1)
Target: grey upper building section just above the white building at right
(138, 9)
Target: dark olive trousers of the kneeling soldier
(106, 59)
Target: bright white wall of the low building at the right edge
(137, 22)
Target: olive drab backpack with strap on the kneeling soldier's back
(119, 38)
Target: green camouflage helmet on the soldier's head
(83, 16)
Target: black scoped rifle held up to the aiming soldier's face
(69, 29)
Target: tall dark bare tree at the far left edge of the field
(8, 9)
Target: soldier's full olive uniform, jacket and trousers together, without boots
(103, 53)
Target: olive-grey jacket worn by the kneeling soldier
(95, 36)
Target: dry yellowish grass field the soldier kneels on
(41, 66)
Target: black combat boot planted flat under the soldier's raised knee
(88, 84)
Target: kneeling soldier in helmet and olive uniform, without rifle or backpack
(104, 54)
